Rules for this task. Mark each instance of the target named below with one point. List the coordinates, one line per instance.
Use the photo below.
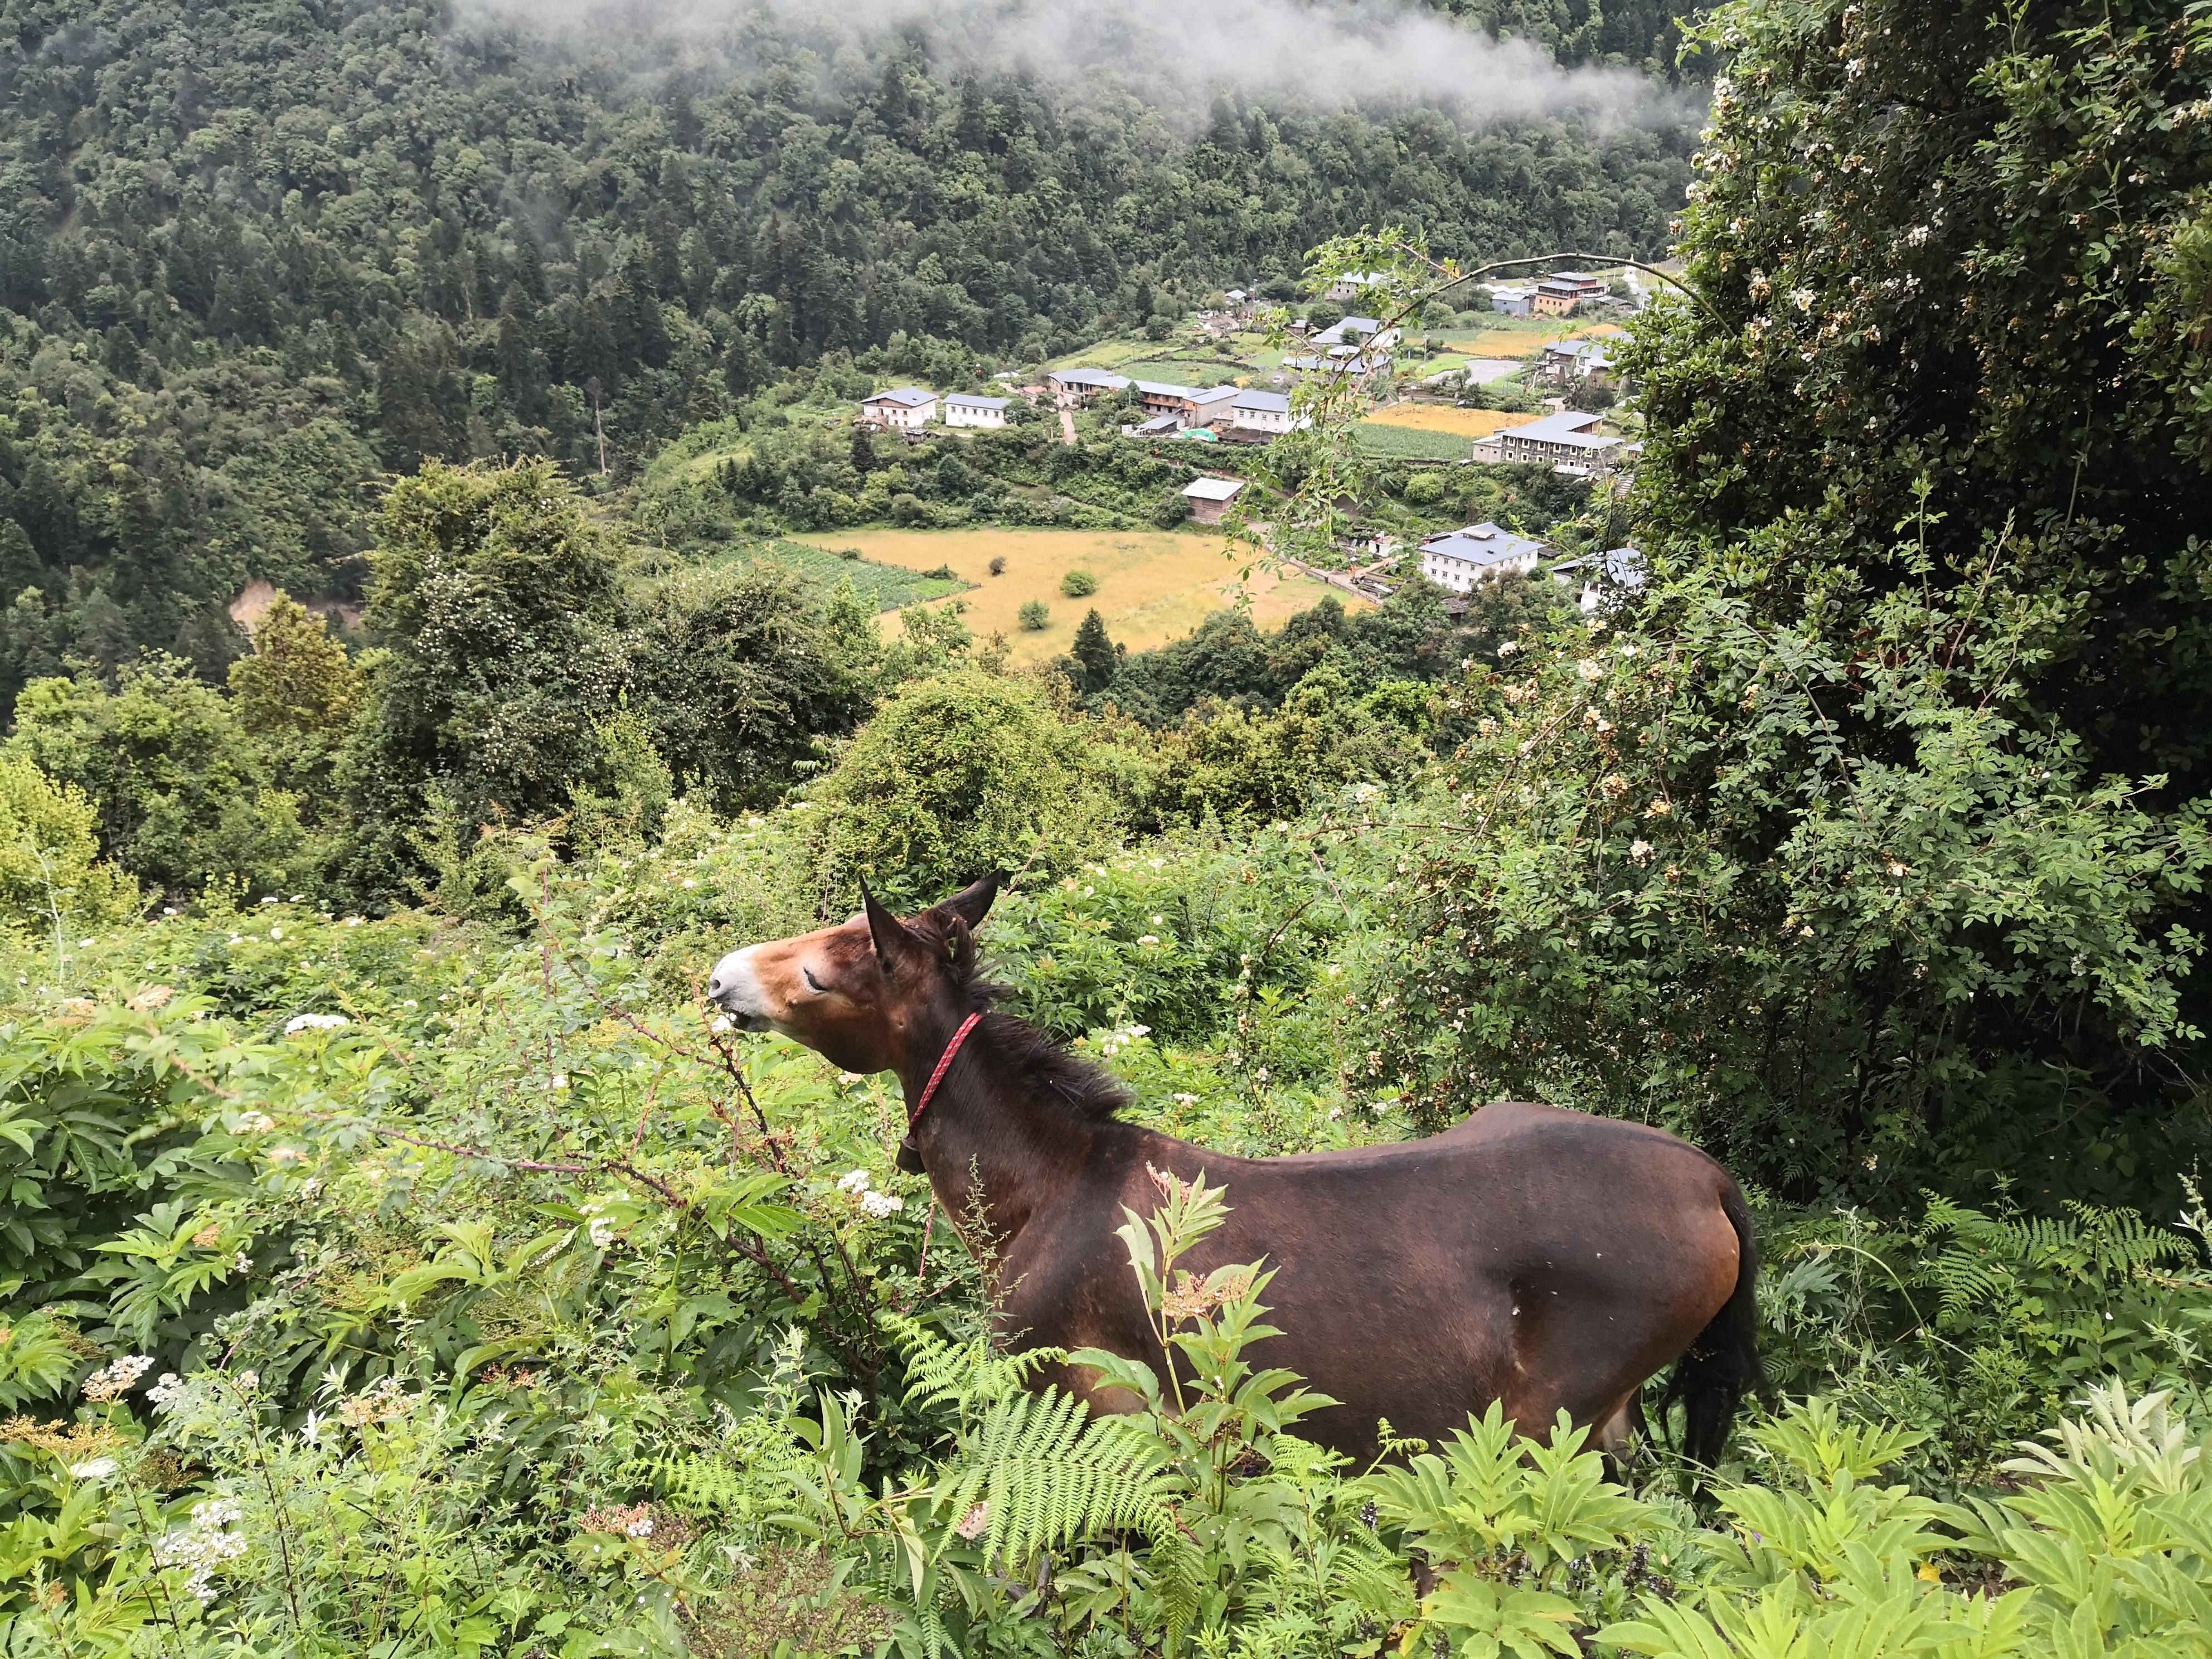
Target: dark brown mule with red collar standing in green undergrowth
(1532, 1255)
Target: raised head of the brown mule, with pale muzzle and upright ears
(866, 992)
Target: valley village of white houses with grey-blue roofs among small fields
(1547, 397)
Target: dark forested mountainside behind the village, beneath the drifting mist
(255, 255)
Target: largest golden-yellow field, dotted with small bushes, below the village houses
(1154, 585)
